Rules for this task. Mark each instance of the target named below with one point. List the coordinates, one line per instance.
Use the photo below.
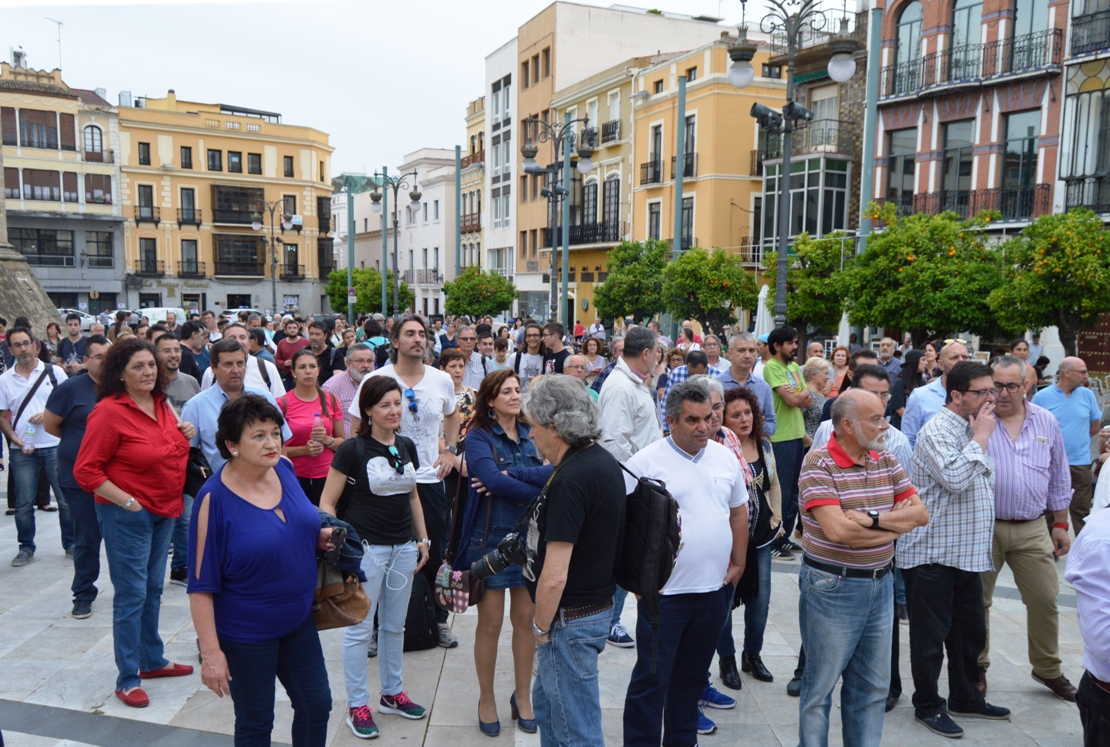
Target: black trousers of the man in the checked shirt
(945, 617)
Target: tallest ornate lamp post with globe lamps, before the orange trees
(791, 18)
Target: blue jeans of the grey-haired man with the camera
(566, 696)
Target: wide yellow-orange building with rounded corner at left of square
(195, 179)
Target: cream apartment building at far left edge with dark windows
(63, 186)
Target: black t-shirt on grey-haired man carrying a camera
(586, 506)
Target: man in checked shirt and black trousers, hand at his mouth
(942, 562)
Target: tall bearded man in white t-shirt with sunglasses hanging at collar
(429, 400)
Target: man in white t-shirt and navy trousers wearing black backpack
(708, 481)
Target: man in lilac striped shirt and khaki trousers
(1031, 477)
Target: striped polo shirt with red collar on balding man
(831, 478)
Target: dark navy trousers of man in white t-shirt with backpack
(690, 627)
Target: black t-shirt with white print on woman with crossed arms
(380, 513)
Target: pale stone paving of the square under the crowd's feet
(57, 677)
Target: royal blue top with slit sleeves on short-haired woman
(261, 571)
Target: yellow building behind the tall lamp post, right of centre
(722, 185)
